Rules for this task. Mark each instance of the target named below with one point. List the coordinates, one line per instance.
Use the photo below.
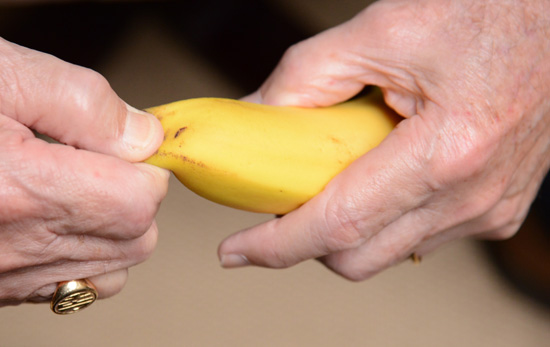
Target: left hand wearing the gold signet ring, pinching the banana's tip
(80, 210)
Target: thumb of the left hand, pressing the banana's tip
(73, 105)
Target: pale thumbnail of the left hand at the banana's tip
(141, 131)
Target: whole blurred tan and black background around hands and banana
(466, 294)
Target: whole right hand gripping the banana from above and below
(472, 80)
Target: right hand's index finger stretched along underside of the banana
(337, 219)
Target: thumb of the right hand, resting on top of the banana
(323, 70)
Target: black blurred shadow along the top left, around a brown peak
(242, 39)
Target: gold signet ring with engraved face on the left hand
(73, 296)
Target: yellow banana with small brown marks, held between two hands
(268, 159)
